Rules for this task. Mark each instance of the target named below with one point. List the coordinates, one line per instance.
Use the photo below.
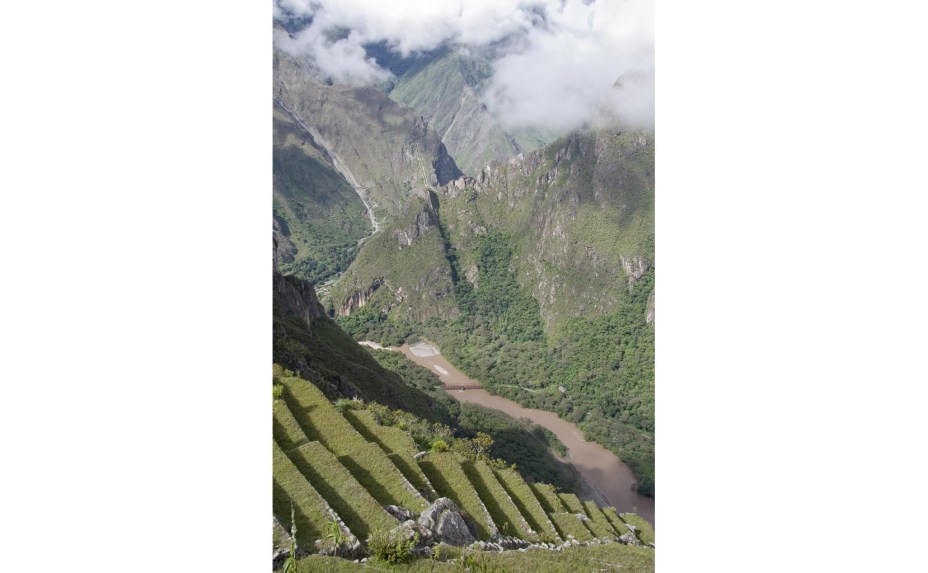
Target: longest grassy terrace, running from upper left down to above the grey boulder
(367, 462)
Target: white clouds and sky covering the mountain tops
(565, 64)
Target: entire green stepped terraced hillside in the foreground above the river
(346, 478)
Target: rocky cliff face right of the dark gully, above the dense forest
(579, 215)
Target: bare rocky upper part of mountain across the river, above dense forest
(577, 216)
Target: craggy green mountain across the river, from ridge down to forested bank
(551, 260)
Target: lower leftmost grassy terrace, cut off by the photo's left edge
(312, 513)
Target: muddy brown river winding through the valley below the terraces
(610, 480)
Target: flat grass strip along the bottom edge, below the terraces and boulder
(609, 557)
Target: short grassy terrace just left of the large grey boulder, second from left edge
(360, 512)
